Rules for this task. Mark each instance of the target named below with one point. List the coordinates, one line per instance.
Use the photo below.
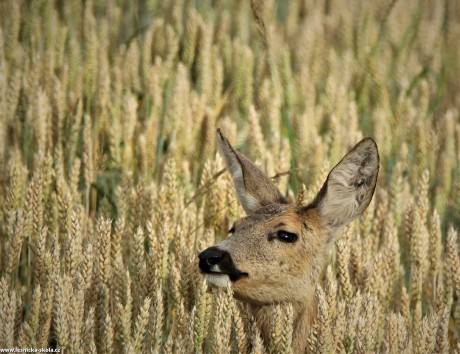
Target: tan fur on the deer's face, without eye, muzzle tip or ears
(276, 270)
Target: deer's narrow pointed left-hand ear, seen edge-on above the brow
(253, 187)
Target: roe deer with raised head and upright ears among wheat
(278, 252)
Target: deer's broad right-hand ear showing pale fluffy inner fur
(350, 185)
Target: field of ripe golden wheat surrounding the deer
(111, 185)
